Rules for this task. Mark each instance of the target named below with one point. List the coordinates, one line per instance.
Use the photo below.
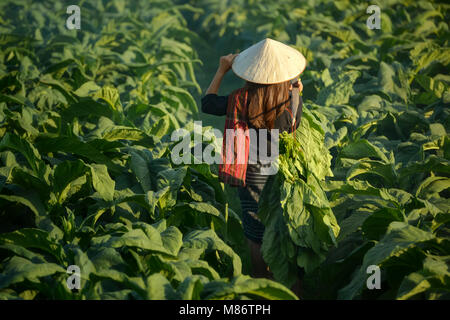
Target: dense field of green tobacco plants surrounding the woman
(87, 179)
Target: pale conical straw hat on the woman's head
(269, 62)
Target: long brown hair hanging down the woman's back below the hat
(267, 102)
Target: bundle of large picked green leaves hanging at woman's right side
(300, 231)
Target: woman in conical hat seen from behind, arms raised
(268, 68)
